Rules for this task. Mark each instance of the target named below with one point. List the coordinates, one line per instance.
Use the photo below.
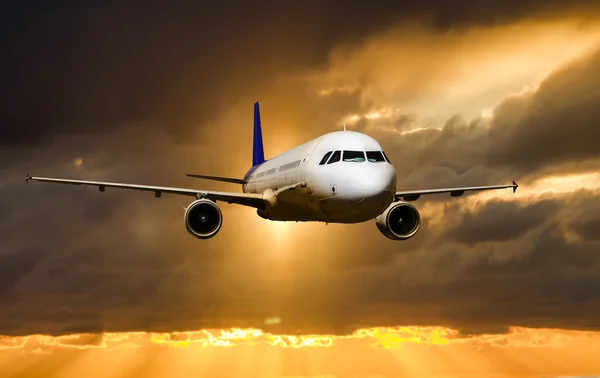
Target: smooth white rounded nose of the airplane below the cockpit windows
(376, 181)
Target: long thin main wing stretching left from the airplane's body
(246, 199)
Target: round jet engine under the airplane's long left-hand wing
(203, 219)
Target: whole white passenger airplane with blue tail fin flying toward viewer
(340, 177)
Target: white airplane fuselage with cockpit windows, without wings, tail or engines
(300, 186)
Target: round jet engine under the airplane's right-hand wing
(400, 221)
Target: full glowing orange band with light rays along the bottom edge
(384, 352)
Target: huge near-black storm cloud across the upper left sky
(75, 67)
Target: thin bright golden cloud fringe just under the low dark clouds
(378, 337)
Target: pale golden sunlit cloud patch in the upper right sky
(480, 67)
